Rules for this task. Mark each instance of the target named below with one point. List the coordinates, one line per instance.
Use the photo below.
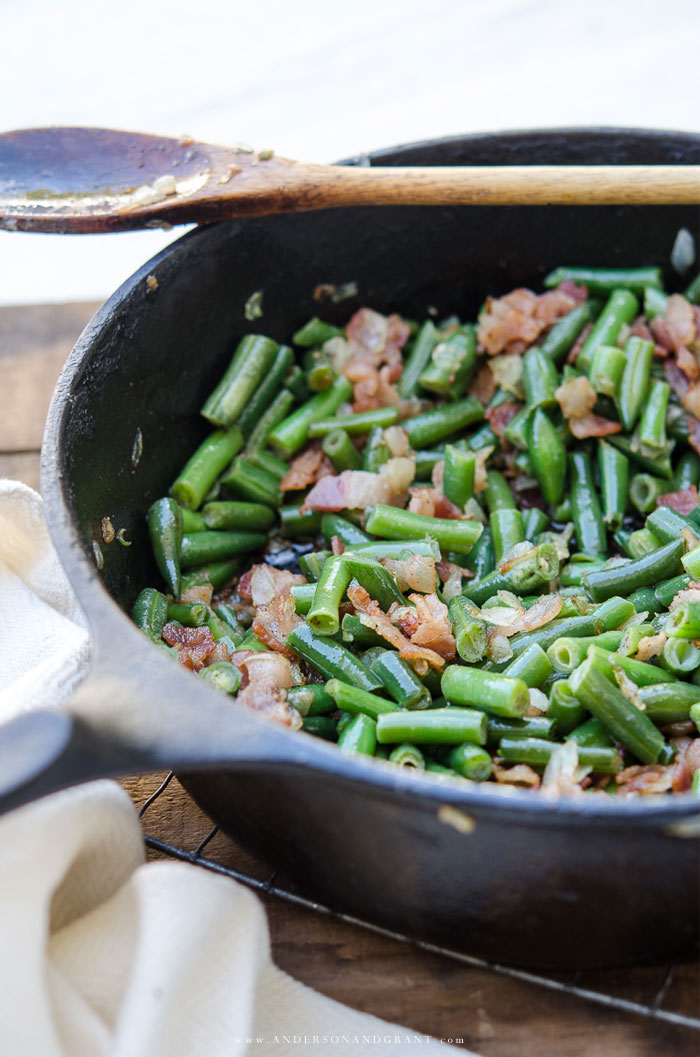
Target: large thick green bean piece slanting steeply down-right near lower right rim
(623, 720)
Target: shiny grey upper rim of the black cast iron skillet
(97, 602)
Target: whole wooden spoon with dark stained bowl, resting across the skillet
(86, 180)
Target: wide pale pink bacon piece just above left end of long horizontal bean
(358, 489)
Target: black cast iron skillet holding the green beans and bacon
(504, 875)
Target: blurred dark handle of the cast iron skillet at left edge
(45, 752)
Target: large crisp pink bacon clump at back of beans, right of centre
(513, 323)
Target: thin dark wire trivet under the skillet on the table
(653, 1011)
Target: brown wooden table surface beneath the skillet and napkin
(495, 1015)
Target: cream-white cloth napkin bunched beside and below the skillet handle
(102, 956)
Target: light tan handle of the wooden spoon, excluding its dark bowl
(496, 186)
